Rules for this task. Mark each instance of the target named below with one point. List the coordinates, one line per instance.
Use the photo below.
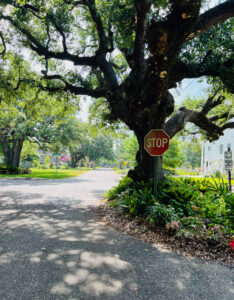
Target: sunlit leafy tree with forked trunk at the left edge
(27, 111)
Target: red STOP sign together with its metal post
(156, 142)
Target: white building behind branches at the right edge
(213, 153)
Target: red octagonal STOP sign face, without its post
(156, 142)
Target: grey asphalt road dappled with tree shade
(52, 247)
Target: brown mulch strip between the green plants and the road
(162, 240)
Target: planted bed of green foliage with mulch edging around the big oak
(197, 214)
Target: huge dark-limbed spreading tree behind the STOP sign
(130, 53)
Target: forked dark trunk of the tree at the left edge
(12, 151)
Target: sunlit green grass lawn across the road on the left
(50, 173)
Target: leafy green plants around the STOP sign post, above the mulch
(187, 207)
